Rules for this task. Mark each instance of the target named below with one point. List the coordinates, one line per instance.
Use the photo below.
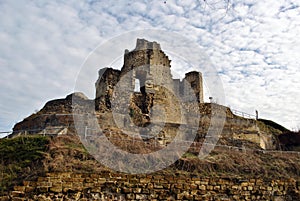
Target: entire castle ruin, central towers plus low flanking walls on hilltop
(143, 98)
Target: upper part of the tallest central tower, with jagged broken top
(148, 66)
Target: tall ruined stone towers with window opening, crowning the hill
(144, 81)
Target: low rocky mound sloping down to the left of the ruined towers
(55, 118)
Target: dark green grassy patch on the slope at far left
(21, 158)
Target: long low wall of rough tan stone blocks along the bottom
(113, 186)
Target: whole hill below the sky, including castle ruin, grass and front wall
(77, 148)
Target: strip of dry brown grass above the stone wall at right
(233, 163)
